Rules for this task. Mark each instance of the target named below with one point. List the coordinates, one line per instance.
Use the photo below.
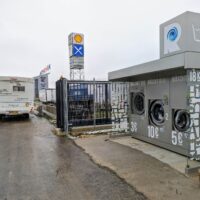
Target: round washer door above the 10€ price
(157, 113)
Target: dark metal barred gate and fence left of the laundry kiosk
(87, 102)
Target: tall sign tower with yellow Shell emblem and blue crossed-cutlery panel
(76, 56)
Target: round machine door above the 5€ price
(181, 120)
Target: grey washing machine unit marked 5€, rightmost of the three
(181, 122)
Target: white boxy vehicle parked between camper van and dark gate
(47, 95)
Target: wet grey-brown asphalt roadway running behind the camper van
(37, 165)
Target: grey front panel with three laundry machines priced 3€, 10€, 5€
(159, 113)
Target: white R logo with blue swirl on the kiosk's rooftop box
(172, 34)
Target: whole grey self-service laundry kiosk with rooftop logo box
(160, 100)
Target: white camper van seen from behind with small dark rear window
(16, 96)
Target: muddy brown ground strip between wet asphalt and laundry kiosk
(155, 179)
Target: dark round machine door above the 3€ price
(138, 103)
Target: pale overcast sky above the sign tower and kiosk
(118, 33)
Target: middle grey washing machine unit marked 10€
(159, 121)
